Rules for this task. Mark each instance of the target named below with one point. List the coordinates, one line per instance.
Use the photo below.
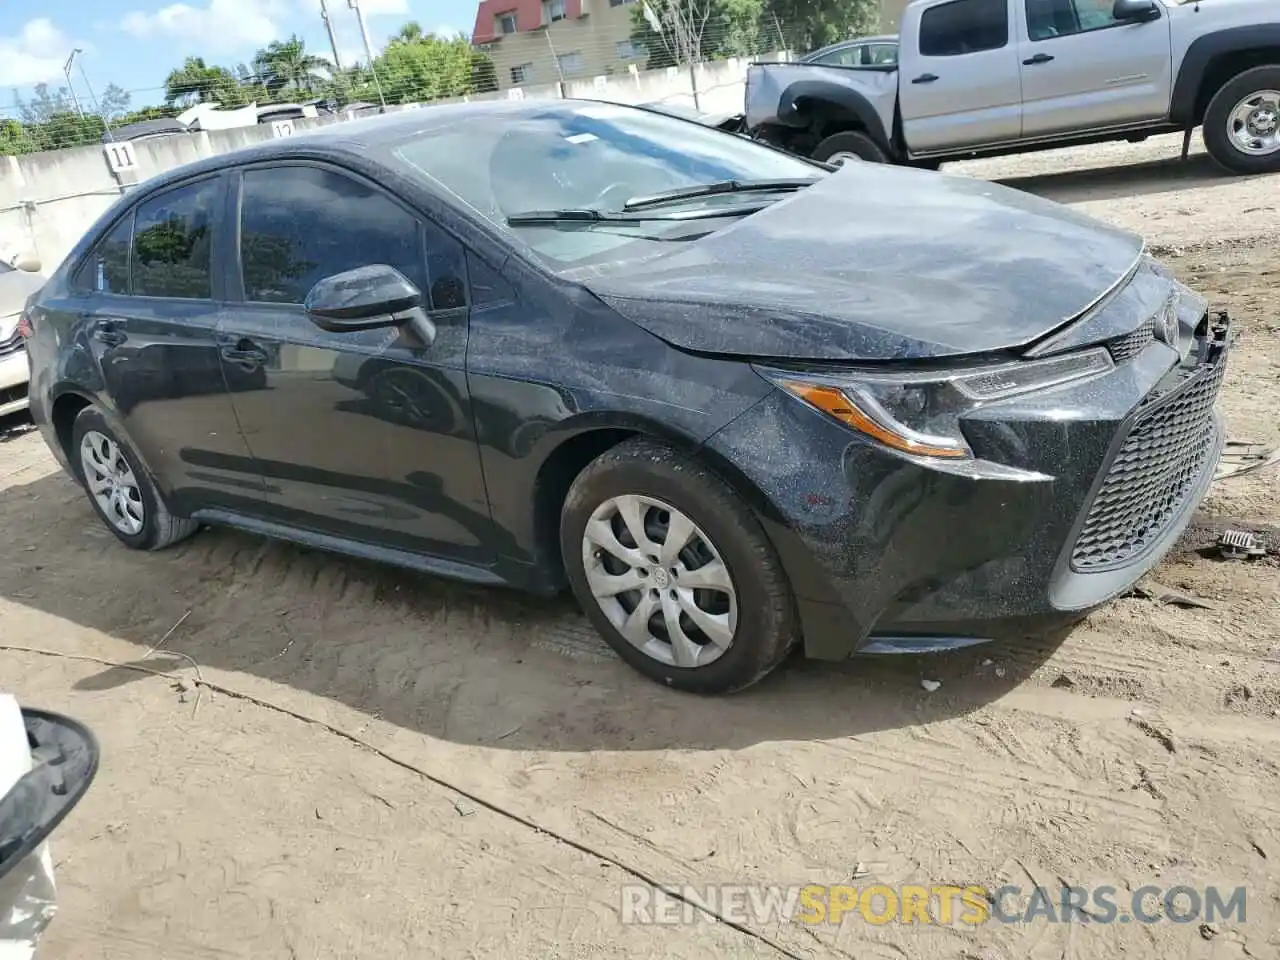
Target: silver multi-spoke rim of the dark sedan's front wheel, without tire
(660, 580)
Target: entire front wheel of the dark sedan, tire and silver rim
(675, 573)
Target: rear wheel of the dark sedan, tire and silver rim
(120, 488)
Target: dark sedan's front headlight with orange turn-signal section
(918, 413)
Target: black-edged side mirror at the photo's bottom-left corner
(65, 762)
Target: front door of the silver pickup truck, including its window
(1084, 70)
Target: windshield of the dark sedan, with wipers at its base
(593, 157)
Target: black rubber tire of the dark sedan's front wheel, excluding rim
(767, 624)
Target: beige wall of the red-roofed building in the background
(572, 49)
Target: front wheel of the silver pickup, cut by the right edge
(1242, 125)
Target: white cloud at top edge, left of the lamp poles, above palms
(218, 28)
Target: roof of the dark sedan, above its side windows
(358, 138)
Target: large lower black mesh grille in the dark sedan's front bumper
(1153, 476)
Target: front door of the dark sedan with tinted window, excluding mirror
(367, 436)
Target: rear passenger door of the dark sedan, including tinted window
(149, 296)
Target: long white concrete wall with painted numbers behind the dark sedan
(49, 200)
